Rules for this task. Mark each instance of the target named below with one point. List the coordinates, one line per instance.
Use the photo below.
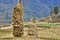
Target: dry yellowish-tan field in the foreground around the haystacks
(43, 34)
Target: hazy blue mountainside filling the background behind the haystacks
(38, 8)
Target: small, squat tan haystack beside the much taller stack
(33, 31)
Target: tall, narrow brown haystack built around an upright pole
(17, 20)
